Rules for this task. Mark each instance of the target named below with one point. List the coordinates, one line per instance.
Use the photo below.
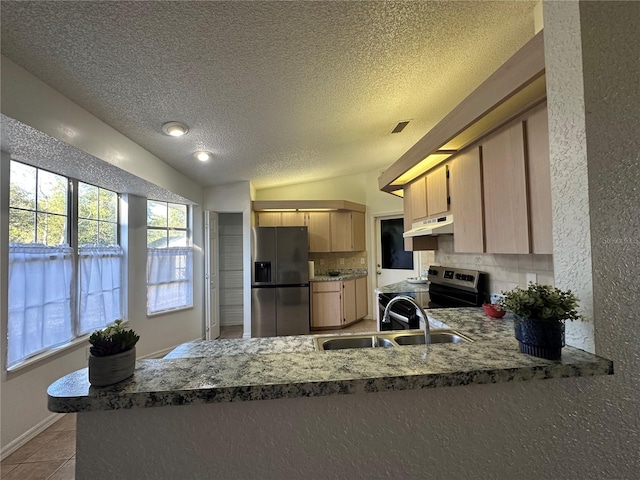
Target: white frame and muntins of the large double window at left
(71, 231)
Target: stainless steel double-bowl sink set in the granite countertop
(386, 340)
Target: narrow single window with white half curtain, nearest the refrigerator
(169, 257)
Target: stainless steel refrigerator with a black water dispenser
(279, 281)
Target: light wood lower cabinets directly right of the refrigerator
(336, 304)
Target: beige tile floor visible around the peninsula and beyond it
(52, 454)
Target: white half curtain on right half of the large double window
(100, 286)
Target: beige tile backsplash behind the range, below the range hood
(505, 271)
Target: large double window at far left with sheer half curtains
(64, 274)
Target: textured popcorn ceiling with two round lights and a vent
(280, 92)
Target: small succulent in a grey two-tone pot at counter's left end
(112, 354)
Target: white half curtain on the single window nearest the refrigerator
(169, 278)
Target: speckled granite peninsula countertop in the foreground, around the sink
(285, 367)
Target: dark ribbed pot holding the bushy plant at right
(540, 338)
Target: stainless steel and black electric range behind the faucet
(447, 287)
